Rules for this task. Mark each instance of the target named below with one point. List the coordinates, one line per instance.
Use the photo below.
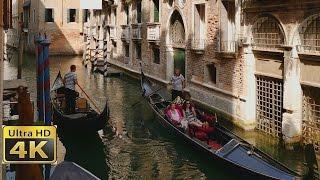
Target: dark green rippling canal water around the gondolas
(139, 147)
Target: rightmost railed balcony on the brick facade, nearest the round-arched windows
(227, 49)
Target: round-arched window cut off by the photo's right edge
(310, 35)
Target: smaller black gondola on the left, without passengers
(85, 121)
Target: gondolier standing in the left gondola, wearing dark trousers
(70, 81)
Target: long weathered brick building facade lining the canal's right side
(253, 61)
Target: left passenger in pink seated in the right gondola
(176, 115)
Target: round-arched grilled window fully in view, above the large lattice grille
(267, 33)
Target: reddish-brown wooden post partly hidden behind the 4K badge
(25, 109)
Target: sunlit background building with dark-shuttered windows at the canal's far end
(61, 20)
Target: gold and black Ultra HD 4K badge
(29, 144)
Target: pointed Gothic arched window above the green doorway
(177, 33)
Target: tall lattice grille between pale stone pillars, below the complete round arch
(269, 105)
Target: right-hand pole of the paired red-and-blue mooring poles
(46, 80)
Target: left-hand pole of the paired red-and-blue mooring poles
(40, 78)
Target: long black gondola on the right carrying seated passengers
(225, 148)
